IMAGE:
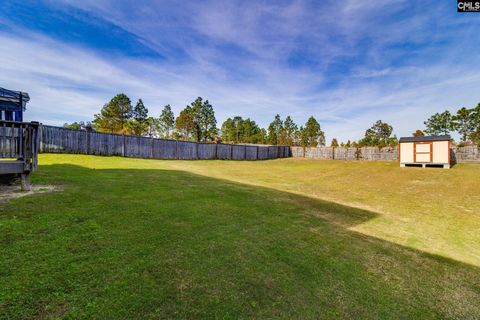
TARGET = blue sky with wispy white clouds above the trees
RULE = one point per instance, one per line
(348, 63)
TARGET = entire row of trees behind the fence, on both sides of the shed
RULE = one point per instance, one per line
(197, 122)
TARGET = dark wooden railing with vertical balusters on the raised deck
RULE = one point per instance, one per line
(20, 141)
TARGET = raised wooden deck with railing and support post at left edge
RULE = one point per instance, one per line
(19, 146)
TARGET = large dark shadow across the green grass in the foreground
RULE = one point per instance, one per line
(123, 243)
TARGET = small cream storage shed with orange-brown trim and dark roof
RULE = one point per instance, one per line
(425, 151)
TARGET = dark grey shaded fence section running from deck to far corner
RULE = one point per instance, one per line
(62, 140)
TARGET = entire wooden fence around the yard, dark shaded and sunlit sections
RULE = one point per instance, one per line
(62, 140)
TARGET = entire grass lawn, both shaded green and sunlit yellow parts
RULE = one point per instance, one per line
(292, 238)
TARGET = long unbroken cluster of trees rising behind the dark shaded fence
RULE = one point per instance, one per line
(197, 122)
